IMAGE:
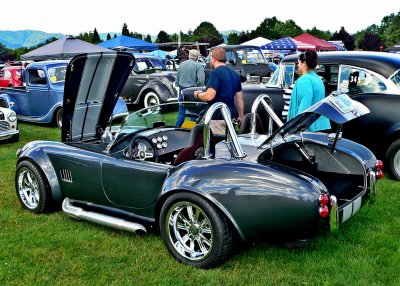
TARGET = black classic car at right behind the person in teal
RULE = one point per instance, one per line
(372, 78)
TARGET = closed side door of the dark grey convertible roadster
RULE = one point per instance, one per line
(133, 184)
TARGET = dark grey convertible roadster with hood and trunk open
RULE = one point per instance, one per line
(200, 191)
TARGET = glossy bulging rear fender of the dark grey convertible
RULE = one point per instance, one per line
(255, 198)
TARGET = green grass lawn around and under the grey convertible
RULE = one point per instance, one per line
(54, 249)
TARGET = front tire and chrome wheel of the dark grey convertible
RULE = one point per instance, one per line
(32, 187)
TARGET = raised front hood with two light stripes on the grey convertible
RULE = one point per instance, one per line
(93, 84)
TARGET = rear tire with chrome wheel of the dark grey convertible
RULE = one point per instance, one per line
(194, 231)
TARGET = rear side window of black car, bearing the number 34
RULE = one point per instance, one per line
(358, 80)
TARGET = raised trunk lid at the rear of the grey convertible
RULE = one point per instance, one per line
(338, 108)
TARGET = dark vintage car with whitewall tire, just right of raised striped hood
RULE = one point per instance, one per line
(150, 82)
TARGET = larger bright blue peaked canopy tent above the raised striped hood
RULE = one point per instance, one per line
(128, 43)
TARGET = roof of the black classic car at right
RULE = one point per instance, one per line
(382, 63)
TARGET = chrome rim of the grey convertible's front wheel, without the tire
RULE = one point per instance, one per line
(28, 188)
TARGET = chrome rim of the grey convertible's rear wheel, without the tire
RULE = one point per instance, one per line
(190, 231)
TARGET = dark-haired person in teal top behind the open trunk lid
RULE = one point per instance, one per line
(308, 90)
